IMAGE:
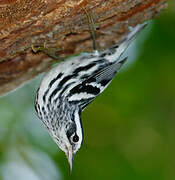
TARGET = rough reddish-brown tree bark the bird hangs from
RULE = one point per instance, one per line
(60, 23)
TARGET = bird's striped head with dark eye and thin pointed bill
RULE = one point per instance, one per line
(69, 136)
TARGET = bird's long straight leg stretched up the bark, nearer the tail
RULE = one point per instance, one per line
(92, 28)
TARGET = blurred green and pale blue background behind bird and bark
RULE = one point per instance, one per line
(129, 130)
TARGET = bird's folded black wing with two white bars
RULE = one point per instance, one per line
(86, 91)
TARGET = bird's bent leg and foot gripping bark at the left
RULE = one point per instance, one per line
(52, 52)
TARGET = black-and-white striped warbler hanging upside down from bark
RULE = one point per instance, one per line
(69, 87)
